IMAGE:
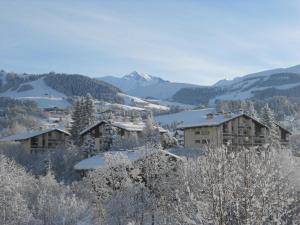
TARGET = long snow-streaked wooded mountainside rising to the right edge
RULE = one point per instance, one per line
(265, 84)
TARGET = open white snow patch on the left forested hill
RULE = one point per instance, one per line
(42, 94)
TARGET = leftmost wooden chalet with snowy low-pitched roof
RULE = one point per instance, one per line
(40, 140)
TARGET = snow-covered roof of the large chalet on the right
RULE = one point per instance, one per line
(217, 119)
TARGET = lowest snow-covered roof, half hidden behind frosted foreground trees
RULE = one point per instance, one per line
(98, 161)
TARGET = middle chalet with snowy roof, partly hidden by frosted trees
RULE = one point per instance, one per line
(102, 132)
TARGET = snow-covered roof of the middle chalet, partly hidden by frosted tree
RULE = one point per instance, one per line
(129, 126)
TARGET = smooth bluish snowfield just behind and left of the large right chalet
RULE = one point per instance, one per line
(185, 117)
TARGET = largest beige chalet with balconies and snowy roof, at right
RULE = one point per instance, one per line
(228, 129)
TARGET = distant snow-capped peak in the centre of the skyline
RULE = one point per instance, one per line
(144, 85)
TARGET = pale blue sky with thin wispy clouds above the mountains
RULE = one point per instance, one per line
(187, 41)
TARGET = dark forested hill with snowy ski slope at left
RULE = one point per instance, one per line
(53, 89)
